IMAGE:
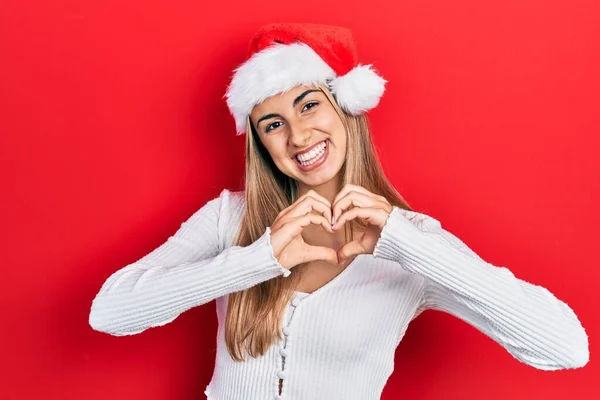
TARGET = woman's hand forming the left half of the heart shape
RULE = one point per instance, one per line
(289, 247)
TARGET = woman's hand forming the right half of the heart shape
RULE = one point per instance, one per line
(372, 208)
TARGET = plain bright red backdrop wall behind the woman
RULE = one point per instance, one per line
(114, 131)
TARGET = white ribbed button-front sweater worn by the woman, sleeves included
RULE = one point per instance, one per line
(339, 341)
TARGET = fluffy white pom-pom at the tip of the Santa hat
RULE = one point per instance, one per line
(359, 90)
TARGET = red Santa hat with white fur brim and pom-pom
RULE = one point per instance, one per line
(285, 55)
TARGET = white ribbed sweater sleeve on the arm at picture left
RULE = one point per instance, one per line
(184, 272)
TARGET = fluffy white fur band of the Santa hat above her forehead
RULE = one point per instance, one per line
(274, 70)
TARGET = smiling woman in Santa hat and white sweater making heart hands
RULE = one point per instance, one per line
(319, 265)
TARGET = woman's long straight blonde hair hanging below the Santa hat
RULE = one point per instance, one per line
(253, 319)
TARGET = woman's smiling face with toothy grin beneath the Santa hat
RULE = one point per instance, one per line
(303, 134)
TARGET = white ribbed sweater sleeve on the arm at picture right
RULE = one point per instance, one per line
(526, 319)
